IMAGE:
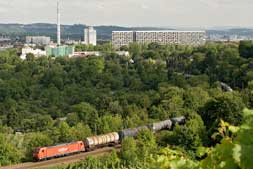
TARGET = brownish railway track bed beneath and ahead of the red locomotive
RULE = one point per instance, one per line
(64, 160)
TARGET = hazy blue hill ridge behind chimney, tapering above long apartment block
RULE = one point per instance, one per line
(68, 31)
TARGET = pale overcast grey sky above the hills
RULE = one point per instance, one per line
(162, 13)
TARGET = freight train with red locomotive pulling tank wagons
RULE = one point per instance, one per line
(95, 142)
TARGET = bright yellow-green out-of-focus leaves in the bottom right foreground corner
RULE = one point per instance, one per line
(235, 152)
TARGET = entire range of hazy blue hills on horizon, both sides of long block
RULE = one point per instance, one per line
(103, 32)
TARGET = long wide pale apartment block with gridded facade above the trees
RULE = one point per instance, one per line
(121, 38)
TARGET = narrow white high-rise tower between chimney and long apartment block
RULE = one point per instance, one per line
(90, 36)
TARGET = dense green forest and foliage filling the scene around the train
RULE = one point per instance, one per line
(47, 100)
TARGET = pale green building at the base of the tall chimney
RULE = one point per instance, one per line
(60, 51)
